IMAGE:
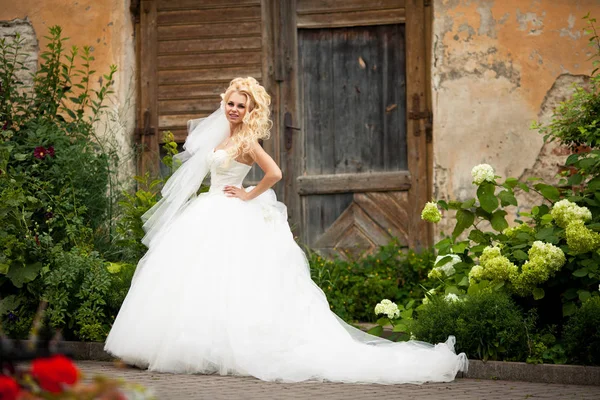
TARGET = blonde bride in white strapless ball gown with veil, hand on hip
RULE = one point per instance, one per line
(224, 288)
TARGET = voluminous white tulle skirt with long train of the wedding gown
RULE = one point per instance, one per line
(227, 290)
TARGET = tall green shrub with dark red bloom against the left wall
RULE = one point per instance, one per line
(54, 171)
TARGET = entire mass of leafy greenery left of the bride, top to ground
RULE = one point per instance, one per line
(56, 190)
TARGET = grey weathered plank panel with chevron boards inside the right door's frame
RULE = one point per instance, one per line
(354, 98)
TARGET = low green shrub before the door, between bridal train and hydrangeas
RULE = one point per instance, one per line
(353, 287)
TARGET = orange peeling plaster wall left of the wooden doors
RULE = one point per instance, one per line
(107, 26)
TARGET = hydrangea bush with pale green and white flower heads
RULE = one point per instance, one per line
(542, 252)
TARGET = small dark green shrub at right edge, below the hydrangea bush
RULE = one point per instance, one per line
(581, 334)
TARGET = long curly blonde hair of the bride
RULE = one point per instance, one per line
(256, 123)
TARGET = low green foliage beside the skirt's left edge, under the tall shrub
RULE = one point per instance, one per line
(83, 292)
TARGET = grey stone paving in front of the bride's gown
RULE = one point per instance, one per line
(180, 387)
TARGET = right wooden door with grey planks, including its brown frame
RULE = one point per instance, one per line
(361, 172)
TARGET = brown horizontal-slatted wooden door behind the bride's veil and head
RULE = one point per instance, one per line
(189, 52)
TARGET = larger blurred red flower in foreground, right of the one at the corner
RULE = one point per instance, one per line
(54, 373)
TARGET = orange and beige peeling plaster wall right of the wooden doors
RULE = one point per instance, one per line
(498, 66)
